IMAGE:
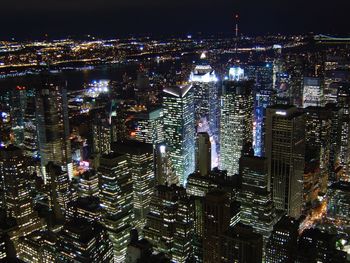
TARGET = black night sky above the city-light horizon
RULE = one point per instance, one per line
(110, 18)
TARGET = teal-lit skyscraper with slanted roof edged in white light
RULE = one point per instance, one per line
(179, 127)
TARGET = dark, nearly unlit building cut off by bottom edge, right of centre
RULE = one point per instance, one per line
(241, 244)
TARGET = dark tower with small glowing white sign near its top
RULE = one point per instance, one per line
(285, 152)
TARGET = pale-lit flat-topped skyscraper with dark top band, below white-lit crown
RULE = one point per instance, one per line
(236, 123)
